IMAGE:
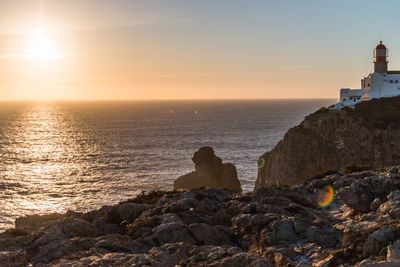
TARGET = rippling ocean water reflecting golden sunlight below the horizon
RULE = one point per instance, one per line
(82, 155)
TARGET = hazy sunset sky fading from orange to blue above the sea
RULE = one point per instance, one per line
(179, 49)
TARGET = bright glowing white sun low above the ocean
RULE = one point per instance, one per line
(41, 47)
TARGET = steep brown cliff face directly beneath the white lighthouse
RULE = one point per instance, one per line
(365, 137)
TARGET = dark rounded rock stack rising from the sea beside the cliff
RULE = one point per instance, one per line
(209, 171)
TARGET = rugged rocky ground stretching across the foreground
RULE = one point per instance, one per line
(216, 227)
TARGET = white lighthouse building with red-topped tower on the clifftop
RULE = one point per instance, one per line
(381, 83)
